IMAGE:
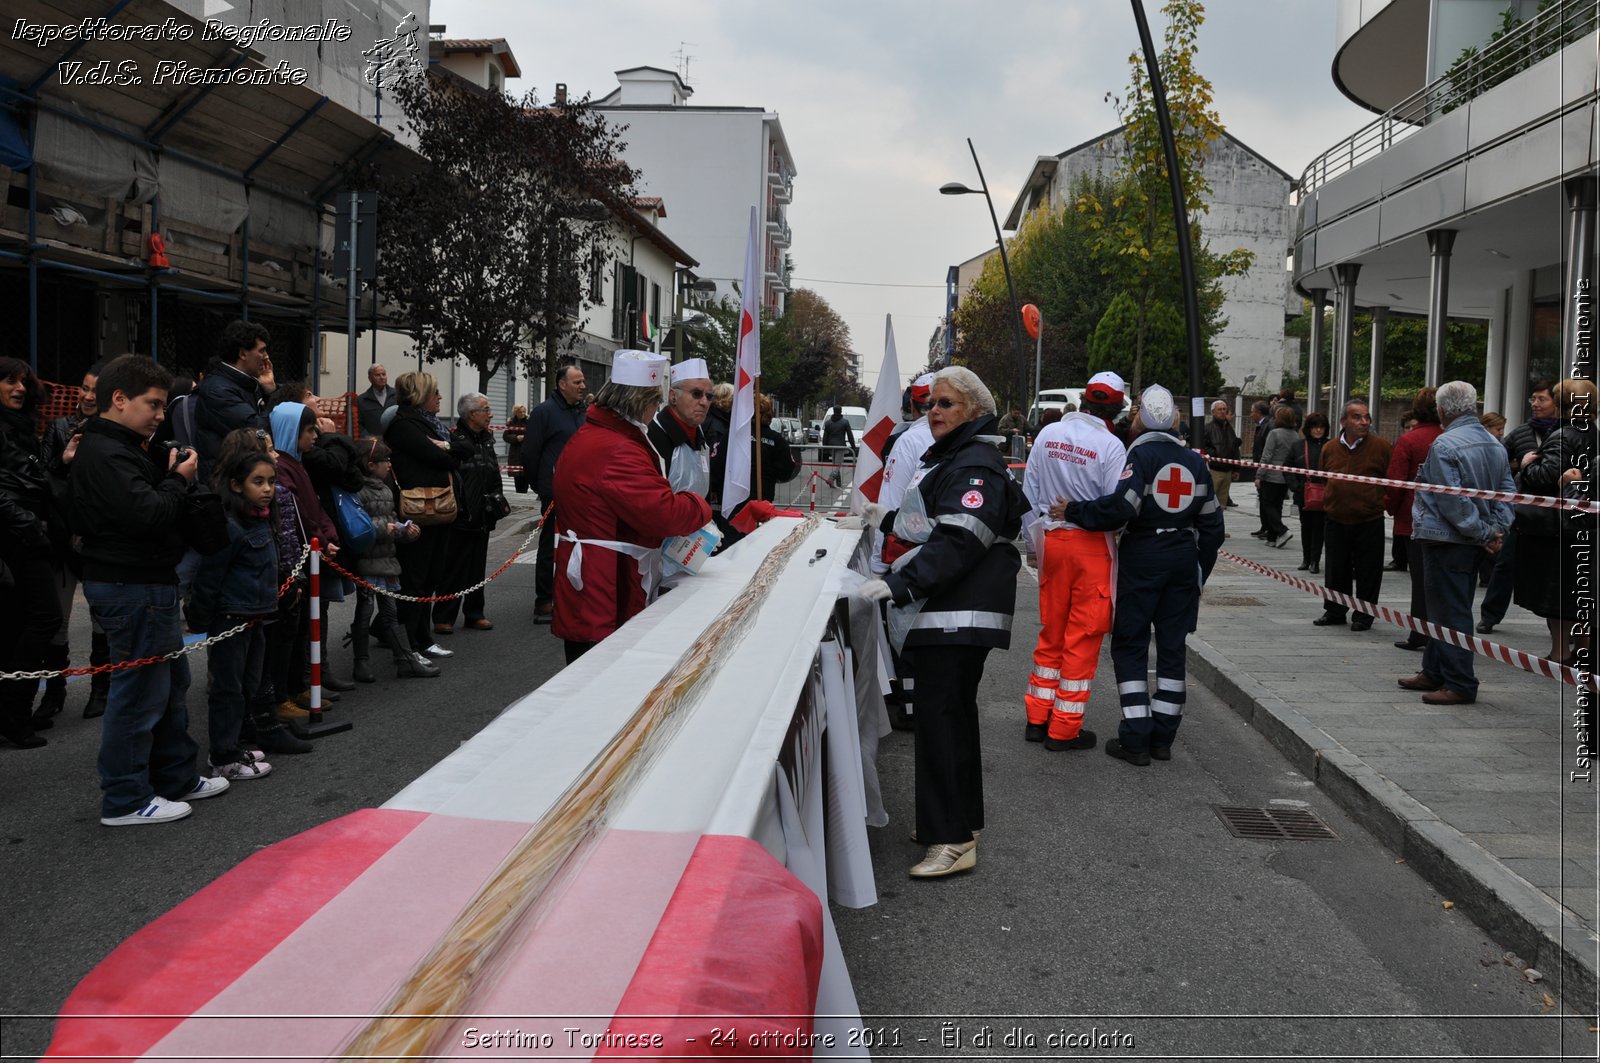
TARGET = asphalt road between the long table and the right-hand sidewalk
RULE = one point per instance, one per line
(1113, 899)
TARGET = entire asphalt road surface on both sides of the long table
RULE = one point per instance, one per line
(1108, 899)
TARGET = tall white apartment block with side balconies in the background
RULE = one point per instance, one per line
(713, 164)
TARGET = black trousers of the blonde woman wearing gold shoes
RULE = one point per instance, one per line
(950, 766)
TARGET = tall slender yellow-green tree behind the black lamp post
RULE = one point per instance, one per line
(1137, 233)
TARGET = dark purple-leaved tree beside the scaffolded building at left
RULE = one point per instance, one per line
(489, 241)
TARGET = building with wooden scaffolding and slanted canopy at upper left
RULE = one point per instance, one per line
(143, 217)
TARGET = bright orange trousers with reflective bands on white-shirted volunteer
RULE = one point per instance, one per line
(1074, 608)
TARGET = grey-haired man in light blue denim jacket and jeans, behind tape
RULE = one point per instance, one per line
(1452, 531)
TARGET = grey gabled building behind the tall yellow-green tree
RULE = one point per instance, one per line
(1249, 207)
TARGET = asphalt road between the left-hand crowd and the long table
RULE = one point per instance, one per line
(76, 889)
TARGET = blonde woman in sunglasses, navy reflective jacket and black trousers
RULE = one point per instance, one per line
(951, 601)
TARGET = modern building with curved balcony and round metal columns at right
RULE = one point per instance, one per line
(1471, 196)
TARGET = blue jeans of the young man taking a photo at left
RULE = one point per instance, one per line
(145, 739)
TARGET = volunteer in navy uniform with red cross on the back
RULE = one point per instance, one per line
(1169, 547)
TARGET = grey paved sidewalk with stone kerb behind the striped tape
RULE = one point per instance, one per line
(1474, 798)
